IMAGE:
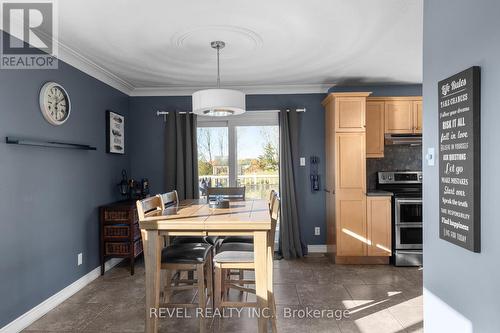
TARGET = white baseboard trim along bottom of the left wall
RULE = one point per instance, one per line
(26, 319)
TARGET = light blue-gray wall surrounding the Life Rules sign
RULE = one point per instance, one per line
(462, 286)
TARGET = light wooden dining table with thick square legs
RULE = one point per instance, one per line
(196, 218)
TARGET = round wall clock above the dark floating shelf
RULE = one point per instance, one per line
(54, 103)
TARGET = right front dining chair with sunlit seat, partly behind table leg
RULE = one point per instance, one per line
(226, 260)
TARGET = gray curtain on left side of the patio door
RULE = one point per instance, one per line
(181, 155)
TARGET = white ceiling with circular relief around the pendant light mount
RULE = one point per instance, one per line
(162, 47)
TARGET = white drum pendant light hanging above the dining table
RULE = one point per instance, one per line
(218, 102)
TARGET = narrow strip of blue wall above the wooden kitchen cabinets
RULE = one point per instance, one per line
(383, 90)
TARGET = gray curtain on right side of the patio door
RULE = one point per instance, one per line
(291, 244)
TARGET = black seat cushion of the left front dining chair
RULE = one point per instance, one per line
(189, 253)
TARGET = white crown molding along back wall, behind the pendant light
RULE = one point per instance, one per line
(249, 90)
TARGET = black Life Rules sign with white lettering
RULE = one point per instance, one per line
(459, 159)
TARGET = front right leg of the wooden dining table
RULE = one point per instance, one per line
(261, 276)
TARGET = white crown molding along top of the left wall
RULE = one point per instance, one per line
(77, 60)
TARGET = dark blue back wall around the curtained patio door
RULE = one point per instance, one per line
(146, 146)
